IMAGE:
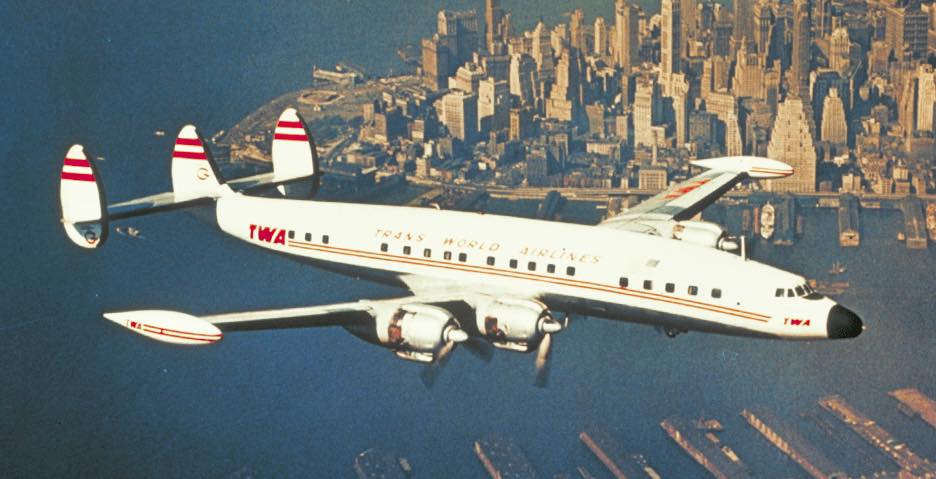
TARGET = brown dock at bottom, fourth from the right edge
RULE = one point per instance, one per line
(698, 439)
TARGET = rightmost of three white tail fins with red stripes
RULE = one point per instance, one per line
(295, 160)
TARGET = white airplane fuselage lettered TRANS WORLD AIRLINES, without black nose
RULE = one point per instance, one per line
(592, 270)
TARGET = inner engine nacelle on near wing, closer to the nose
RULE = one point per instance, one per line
(515, 324)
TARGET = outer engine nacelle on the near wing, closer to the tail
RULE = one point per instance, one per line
(412, 331)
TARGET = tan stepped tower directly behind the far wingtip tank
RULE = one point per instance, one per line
(791, 141)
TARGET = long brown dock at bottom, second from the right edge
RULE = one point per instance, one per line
(870, 431)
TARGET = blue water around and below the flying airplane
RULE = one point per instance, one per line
(81, 397)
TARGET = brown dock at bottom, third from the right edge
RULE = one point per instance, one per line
(791, 443)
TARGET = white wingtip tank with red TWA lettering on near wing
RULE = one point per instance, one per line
(168, 326)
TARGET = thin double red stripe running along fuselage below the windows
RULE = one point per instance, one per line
(540, 278)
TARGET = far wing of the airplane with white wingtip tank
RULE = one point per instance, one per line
(682, 201)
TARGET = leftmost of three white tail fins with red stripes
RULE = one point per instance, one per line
(83, 213)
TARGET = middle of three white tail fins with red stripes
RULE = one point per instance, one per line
(194, 173)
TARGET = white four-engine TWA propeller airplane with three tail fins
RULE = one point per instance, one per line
(656, 263)
